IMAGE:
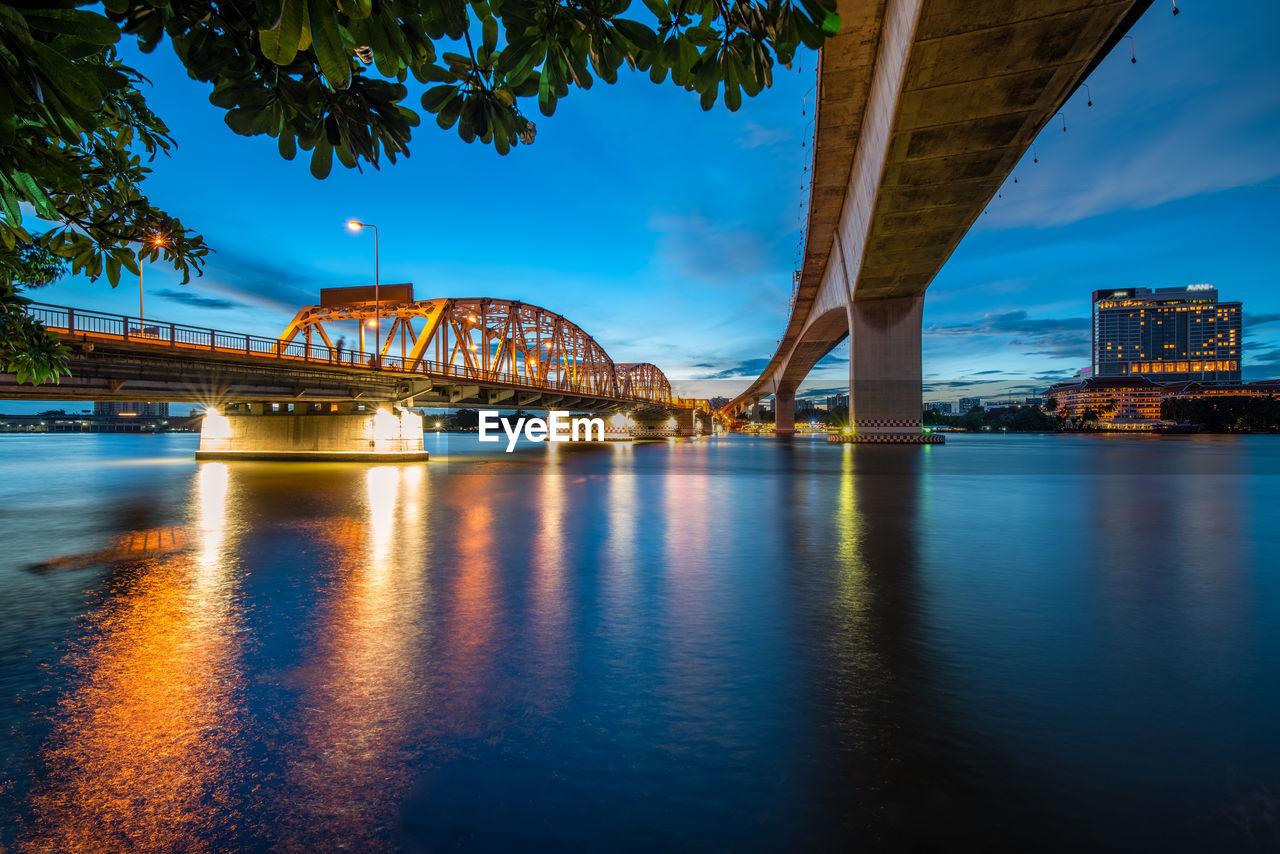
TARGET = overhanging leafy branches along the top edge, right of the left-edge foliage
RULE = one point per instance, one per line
(331, 77)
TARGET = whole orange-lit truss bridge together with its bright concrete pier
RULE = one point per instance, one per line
(321, 395)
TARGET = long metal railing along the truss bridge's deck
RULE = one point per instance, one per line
(80, 322)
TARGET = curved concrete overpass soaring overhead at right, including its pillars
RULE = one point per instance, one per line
(924, 109)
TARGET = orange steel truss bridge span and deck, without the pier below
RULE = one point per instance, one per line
(436, 353)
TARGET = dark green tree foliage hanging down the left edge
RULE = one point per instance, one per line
(74, 133)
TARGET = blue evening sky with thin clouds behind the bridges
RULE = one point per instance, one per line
(670, 234)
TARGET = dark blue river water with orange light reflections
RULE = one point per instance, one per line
(1021, 643)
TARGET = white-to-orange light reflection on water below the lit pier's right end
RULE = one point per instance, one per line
(368, 693)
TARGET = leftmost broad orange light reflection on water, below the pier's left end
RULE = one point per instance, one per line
(144, 753)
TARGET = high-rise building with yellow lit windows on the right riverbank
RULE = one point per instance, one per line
(1168, 335)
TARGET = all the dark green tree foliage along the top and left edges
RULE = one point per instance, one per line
(323, 76)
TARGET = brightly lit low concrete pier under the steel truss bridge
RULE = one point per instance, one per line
(378, 435)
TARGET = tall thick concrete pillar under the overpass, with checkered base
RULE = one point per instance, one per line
(885, 375)
